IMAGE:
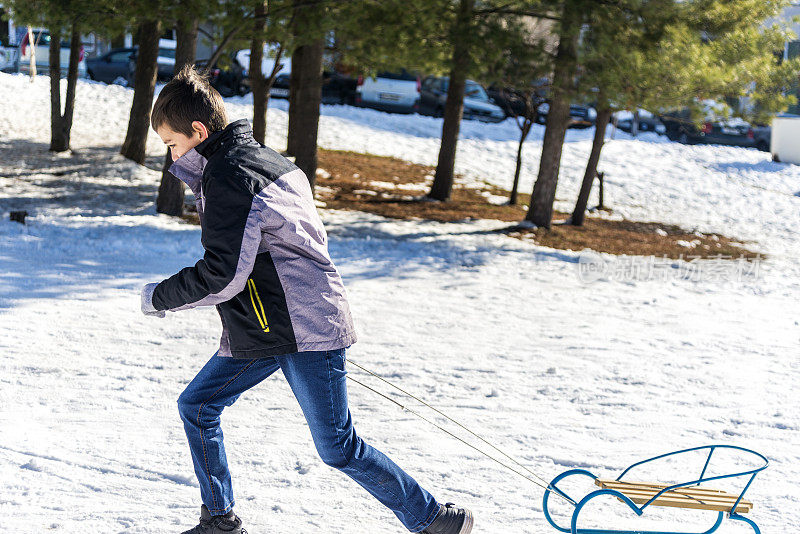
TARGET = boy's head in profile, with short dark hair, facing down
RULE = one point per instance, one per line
(187, 110)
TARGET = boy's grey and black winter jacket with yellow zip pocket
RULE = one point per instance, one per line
(266, 265)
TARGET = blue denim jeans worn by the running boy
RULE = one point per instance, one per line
(318, 382)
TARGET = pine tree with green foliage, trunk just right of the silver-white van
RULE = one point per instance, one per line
(458, 38)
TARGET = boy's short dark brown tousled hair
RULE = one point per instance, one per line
(188, 97)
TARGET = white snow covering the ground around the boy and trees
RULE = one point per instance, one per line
(505, 336)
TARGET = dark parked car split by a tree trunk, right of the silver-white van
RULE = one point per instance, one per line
(477, 104)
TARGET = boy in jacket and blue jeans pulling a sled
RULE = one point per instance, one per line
(282, 303)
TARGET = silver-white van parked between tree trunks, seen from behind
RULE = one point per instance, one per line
(397, 92)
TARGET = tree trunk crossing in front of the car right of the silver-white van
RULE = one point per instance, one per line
(454, 106)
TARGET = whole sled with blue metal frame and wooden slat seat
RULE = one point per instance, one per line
(641, 495)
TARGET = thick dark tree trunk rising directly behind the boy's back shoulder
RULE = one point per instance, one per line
(306, 86)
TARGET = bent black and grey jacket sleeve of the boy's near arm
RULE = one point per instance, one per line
(231, 236)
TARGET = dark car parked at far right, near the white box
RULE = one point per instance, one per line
(680, 127)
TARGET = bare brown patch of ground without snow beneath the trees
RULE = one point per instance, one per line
(382, 185)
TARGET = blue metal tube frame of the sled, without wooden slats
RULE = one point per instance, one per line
(639, 510)
